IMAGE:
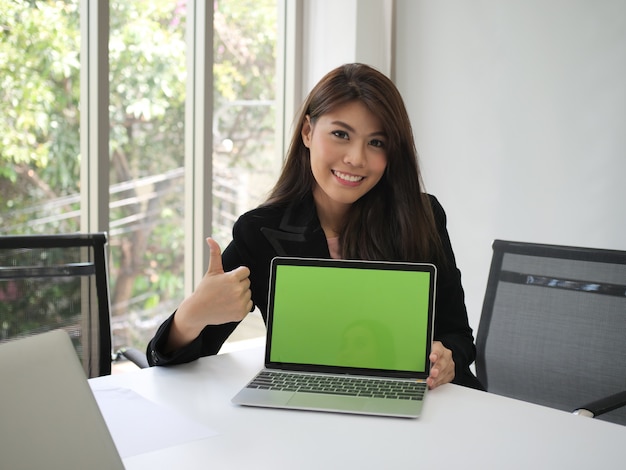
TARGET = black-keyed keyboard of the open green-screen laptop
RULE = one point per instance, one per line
(350, 386)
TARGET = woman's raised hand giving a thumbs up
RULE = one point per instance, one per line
(220, 297)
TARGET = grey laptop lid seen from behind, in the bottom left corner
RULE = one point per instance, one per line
(49, 416)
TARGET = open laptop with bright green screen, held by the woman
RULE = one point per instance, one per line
(346, 336)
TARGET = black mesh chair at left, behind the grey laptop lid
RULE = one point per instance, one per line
(52, 282)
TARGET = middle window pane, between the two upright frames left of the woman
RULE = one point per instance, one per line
(147, 73)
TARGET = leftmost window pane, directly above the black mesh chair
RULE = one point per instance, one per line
(39, 119)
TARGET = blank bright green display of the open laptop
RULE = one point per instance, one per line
(362, 318)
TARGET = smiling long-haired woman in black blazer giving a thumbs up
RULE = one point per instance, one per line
(350, 188)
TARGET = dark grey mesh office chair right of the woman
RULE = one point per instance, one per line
(553, 328)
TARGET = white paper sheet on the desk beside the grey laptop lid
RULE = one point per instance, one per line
(139, 425)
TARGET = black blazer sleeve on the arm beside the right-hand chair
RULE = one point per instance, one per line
(451, 322)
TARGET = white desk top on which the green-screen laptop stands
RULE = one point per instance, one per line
(460, 428)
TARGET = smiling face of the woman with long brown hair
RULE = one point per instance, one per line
(348, 153)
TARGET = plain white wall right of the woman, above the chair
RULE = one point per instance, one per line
(519, 113)
